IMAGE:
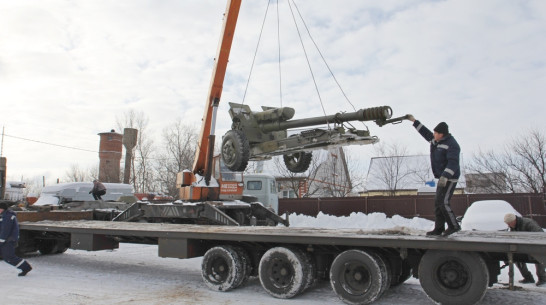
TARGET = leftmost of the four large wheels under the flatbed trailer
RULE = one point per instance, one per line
(222, 268)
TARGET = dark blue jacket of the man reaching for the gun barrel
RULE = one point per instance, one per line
(444, 154)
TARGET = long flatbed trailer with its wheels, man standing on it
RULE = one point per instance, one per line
(361, 265)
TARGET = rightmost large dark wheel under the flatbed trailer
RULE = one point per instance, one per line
(453, 277)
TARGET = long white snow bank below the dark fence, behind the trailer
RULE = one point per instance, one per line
(358, 221)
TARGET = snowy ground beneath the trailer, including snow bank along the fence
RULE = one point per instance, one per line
(134, 274)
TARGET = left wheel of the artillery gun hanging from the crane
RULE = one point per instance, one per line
(235, 150)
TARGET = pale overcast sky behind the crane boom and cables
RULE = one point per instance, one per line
(68, 69)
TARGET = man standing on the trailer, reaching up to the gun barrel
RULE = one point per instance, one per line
(444, 159)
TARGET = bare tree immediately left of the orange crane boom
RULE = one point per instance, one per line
(179, 142)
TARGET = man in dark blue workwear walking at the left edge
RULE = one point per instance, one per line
(9, 235)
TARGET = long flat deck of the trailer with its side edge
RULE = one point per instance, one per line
(502, 241)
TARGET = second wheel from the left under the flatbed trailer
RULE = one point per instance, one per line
(284, 272)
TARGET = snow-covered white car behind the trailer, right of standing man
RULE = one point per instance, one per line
(487, 215)
